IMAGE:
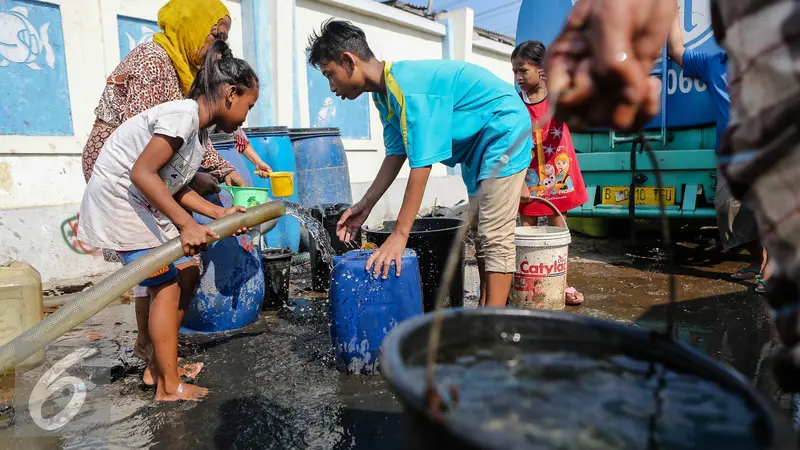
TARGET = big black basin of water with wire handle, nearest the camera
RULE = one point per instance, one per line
(534, 332)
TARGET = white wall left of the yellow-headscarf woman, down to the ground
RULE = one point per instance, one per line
(41, 177)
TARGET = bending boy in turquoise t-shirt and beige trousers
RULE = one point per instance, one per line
(436, 111)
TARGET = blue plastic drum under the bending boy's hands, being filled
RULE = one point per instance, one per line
(364, 309)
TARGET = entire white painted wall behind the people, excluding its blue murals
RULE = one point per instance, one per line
(41, 180)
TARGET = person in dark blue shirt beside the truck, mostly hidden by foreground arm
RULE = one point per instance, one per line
(737, 224)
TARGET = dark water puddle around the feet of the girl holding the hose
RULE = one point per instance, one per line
(273, 385)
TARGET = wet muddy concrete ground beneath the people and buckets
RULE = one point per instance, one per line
(274, 384)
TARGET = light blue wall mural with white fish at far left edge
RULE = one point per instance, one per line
(34, 94)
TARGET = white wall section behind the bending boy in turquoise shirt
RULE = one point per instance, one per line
(396, 35)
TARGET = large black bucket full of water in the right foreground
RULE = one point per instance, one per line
(543, 333)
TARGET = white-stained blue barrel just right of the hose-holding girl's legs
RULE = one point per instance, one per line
(231, 288)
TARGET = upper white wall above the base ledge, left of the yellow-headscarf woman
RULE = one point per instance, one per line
(46, 170)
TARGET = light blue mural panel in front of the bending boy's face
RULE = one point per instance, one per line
(327, 110)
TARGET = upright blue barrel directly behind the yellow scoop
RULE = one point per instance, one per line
(275, 148)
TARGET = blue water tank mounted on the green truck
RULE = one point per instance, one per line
(688, 103)
